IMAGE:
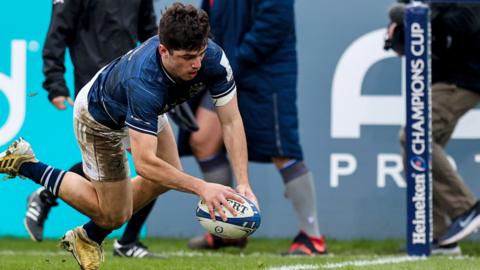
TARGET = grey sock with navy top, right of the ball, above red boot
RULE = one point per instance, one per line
(300, 189)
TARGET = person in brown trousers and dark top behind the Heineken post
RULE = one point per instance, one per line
(455, 91)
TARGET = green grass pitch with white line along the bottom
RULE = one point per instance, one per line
(260, 254)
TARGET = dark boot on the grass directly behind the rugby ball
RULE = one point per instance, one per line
(210, 241)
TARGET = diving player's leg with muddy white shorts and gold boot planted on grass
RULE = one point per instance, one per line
(106, 165)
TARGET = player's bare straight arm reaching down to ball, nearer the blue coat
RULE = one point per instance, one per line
(235, 142)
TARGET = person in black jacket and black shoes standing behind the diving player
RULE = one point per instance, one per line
(95, 33)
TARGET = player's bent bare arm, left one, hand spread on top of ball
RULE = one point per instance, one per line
(149, 166)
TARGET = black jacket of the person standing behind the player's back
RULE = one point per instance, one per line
(95, 32)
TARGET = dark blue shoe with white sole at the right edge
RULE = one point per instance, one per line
(462, 226)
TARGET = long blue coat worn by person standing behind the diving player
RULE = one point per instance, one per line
(258, 37)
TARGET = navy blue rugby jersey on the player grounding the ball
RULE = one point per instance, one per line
(135, 88)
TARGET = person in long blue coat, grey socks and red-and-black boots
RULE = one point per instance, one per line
(259, 40)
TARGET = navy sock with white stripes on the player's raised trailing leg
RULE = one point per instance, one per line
(44, 175)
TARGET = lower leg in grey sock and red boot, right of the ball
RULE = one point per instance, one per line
(300, 190)
